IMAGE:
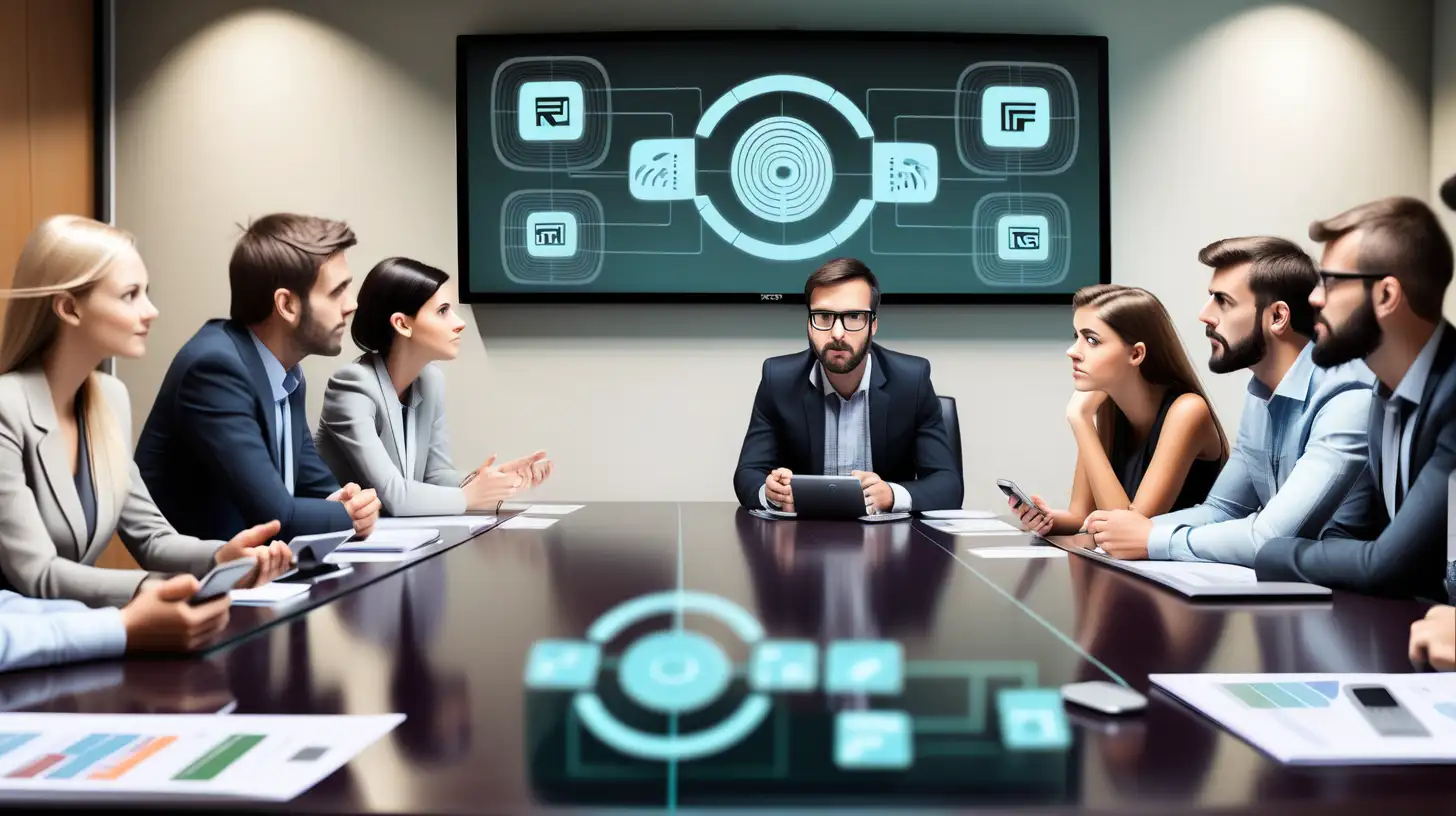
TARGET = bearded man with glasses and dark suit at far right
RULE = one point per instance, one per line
(1384, 276)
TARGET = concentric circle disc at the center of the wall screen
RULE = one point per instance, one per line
(783, 170)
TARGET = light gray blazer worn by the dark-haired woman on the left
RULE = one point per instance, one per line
(363, 439)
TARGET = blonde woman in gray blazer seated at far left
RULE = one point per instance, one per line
(66, 476)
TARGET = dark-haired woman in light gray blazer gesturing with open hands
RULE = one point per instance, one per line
(384, 423)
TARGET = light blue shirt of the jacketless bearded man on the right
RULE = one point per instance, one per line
(1299, 463)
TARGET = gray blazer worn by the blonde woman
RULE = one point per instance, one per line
(43, 530)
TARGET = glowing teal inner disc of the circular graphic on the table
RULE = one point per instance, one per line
(675, 672)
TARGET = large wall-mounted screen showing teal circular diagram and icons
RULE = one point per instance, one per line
(711, 167)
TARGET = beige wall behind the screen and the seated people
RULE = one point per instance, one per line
(1227, 119)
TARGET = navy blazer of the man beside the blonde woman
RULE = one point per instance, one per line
(209, 451)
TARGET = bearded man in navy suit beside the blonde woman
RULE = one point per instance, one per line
(228, 442)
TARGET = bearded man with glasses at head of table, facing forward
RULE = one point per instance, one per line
(848, 407)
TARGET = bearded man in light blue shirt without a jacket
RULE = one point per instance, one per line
(1299, 463)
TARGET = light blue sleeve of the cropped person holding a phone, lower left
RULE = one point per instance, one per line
(43, 633)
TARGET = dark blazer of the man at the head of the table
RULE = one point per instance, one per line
(908, 439)
